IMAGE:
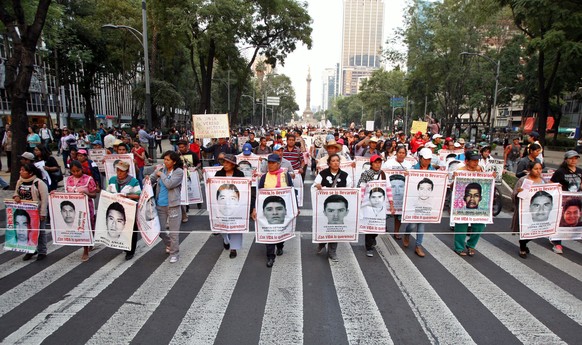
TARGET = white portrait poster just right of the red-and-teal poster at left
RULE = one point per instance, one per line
(70, 219)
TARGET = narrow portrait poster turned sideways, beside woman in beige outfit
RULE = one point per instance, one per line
(148, 222)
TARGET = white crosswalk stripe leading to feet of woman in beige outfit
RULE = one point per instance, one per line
(132, 315)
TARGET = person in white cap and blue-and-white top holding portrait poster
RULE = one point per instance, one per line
(126, 186)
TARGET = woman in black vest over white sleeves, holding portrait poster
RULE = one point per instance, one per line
(331, 177)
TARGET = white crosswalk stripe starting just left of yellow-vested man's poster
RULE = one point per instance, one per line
(202, 321)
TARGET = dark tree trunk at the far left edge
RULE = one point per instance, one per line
(24, 24)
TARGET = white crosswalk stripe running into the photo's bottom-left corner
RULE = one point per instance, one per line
(54, 316)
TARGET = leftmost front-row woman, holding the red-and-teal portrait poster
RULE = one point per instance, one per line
(30, 186)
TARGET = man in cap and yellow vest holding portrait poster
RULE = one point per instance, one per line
(274, 178)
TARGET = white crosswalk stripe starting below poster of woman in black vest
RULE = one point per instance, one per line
(362, 319)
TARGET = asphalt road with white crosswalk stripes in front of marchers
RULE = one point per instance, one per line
(395, 297)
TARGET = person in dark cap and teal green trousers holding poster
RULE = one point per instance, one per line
(463, 247)
